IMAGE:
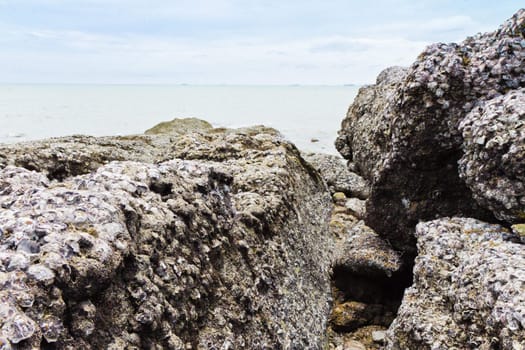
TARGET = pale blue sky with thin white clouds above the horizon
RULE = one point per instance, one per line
(257, 42)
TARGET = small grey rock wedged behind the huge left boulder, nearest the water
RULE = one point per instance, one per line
(337, 175)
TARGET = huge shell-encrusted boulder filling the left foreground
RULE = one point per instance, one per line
(223, 246)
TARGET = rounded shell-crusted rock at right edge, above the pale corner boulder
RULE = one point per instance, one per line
(493, 163)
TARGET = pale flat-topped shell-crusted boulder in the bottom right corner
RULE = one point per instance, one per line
(468, 290)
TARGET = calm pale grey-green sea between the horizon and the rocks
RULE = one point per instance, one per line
(301, 113)
